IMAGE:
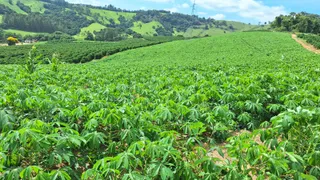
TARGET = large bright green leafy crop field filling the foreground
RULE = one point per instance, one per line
(162, 112)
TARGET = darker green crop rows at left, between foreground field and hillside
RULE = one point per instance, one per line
(77, 52)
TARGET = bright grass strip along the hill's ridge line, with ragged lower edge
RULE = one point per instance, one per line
(106, 15)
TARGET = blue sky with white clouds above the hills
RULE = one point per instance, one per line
(248, 11)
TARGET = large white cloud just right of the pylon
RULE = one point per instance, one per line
(245, 8)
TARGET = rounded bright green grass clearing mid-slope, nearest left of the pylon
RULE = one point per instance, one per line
(146, 28)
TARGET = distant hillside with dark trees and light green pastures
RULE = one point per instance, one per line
(48, 16)
